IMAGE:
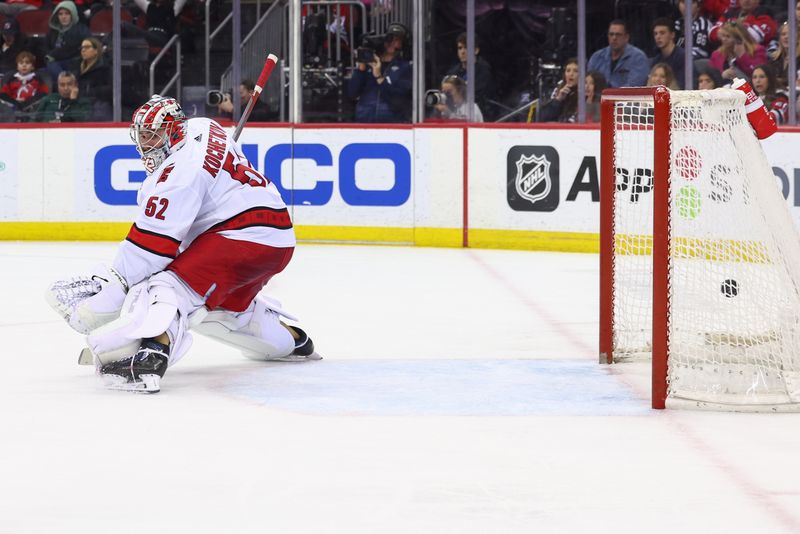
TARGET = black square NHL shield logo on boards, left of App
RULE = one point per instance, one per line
(532, 178)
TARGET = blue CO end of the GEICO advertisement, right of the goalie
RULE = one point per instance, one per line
(360, 177)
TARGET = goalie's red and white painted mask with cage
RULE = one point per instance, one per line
(158, 130)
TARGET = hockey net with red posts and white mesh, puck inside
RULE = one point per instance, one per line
(700, 260)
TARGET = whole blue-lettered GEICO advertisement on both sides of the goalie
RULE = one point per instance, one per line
(353, 177)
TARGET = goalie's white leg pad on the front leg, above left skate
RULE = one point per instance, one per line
(148, 311)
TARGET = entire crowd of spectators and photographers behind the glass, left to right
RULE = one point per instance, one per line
(62, 71)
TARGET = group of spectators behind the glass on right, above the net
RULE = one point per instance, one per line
(730, 39)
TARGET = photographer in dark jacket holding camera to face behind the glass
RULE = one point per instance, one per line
(383, 86)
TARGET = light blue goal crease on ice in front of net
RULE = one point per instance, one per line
(439, 387)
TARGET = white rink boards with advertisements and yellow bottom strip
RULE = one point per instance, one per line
(517, 186)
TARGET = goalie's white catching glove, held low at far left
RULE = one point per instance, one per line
(90, 301)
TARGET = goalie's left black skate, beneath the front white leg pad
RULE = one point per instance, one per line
(140, 373)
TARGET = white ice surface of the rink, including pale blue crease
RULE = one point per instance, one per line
(460, 393)
